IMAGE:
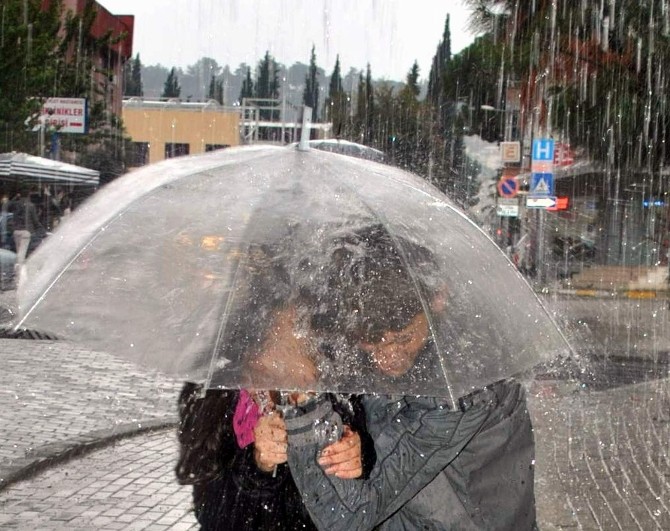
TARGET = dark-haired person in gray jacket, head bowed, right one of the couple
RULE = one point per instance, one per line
(439, 465)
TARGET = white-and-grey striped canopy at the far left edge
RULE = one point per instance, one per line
(31, 169)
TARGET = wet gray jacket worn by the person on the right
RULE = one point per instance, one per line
(436, 468)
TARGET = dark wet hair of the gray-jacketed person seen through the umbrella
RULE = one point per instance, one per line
(369, 285)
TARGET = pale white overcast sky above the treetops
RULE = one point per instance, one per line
(389, 34)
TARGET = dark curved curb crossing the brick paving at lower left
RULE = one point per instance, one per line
(43, 457)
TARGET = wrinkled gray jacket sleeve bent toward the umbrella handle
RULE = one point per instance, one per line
(421, 439)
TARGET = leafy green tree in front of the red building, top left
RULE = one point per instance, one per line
(46, 53)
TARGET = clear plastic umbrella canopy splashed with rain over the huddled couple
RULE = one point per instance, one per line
(191, 264)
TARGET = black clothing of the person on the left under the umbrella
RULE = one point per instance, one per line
(229, 490)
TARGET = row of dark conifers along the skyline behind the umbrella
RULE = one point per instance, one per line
(419, 128)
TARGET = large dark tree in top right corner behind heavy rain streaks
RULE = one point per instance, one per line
(594, 70)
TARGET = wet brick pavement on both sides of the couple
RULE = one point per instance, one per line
(73, 454)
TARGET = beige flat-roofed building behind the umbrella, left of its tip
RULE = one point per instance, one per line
(172, 128)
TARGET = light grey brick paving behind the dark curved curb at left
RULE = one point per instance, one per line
(57, 399)
